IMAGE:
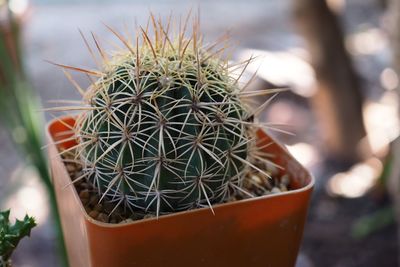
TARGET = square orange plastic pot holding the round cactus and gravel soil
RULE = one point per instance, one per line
(263, 231)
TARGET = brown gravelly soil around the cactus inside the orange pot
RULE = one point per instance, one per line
(107, 211)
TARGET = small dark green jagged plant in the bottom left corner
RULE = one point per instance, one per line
(10, 235)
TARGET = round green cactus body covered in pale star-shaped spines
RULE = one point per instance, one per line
(165, 128)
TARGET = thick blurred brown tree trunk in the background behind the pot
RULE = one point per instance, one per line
(338, 101)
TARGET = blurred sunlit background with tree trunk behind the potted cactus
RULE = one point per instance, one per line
(340, 59)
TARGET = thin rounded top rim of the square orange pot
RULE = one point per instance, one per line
(215, 207)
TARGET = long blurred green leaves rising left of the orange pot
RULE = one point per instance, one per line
(20, 111)
